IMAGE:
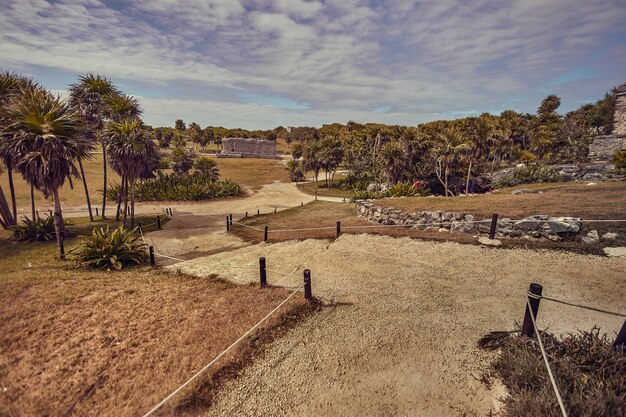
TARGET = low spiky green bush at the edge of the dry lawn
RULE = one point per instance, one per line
(106, 250)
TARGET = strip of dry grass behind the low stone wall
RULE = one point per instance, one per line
(600, 201)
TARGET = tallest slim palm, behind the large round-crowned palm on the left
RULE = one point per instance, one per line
(88, 98)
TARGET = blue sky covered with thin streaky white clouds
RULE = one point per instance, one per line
(258, 64)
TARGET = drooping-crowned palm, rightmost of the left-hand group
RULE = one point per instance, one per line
(131, 151)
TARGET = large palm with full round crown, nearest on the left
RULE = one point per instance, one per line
(47, 138)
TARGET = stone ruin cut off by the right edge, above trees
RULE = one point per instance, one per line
(604, 146)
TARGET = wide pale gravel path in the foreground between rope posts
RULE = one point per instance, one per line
(398, 334)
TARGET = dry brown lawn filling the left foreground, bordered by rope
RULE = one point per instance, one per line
(86, 342)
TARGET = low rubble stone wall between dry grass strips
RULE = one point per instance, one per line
(532, 227)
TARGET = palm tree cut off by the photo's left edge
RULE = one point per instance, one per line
(11, 87)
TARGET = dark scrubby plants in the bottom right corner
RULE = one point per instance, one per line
(589, 372)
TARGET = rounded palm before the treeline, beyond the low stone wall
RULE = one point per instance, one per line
(449, 150)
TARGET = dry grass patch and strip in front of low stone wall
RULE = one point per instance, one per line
(325, 215)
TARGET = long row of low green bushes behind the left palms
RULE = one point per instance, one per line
(180, 187)
